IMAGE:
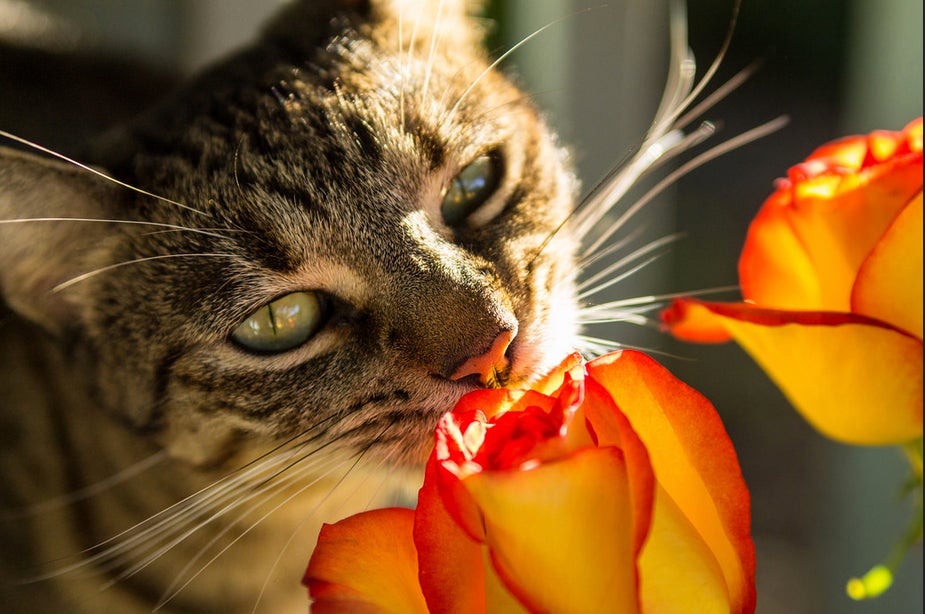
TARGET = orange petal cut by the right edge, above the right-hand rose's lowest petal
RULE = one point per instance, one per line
(889, 284)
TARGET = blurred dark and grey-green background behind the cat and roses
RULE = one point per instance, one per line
(822, 511)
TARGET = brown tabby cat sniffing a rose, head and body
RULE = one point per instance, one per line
(271, 283)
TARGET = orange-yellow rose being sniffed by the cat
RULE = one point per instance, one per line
(619, 491)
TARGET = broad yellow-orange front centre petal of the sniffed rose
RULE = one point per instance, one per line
(561, 534)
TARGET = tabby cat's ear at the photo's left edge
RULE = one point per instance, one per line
(36, 253)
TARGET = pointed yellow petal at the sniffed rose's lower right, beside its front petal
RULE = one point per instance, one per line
(677, 569)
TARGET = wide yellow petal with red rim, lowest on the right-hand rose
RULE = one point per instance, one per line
(855, 379)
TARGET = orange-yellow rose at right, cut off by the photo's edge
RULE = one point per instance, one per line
(831, 274)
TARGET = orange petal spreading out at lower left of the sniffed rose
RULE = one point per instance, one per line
(366, 563)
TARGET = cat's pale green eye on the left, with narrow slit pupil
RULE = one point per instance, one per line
(281, 325)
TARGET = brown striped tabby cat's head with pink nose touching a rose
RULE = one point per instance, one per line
(355, 224)
